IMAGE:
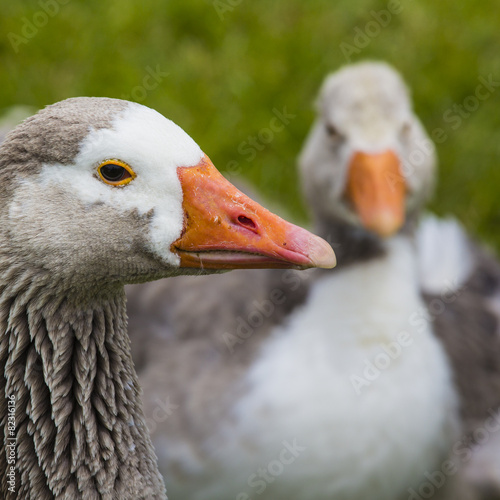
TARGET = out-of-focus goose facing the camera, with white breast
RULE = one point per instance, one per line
(353, 385)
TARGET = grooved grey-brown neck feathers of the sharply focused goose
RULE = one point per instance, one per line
(79, 422)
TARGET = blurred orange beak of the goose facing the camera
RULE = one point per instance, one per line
(377, 190)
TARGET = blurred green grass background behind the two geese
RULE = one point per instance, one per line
(219, 67)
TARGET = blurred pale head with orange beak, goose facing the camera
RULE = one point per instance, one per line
(367, 162)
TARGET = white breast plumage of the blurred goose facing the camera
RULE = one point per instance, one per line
(350, 440)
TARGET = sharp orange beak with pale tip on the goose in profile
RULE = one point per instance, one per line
(224, 229)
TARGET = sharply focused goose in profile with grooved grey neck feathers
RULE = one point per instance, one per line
(96, 193)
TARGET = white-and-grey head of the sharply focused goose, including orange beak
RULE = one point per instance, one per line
(97, 189)
